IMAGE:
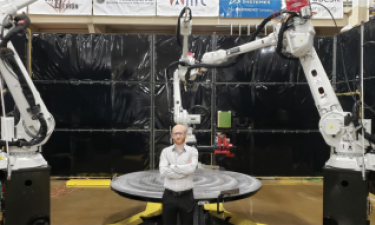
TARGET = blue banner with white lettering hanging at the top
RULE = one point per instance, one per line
(248, 8)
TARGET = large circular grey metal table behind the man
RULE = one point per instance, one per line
(208, 185)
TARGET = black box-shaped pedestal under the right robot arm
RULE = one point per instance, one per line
(345, 197)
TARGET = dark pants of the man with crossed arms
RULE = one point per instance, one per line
(181, 204)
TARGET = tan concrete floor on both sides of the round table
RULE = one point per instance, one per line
(295, 202)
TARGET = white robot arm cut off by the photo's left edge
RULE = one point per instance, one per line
(35, 124)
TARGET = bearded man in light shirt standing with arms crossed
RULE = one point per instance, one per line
(177, 164)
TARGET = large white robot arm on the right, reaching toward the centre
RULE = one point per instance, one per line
(295, 36)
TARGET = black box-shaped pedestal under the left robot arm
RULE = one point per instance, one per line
(26, 197)
